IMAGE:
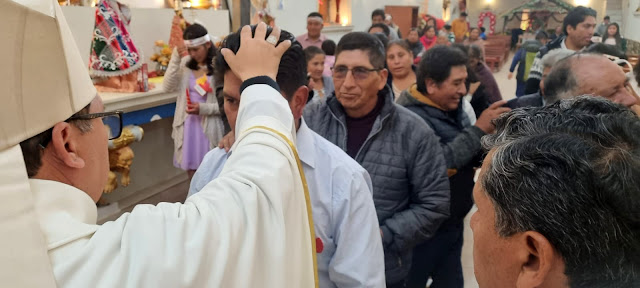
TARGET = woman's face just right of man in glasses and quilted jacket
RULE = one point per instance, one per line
(400, 63)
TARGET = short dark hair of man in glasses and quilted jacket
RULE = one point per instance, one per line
(365, 42)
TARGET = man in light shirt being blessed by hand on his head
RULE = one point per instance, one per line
(348, 242)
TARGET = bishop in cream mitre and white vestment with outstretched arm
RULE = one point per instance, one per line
(251, 227)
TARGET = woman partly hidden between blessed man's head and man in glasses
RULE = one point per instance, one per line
(322, 85)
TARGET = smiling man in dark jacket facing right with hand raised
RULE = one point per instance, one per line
(436, 99)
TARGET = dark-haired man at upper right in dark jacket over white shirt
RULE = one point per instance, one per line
(578, 26)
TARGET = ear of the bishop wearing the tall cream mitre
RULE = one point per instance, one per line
(65, 145)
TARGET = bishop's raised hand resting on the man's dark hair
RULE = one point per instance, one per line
(256, 56)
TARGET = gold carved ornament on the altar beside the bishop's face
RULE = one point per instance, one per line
(120, 159)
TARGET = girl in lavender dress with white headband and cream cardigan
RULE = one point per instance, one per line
(197, 123)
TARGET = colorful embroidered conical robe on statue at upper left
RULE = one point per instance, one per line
(113, 52)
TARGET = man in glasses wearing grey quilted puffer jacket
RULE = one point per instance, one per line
(396, 147)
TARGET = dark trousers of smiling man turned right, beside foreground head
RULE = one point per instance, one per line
(439, 259)
